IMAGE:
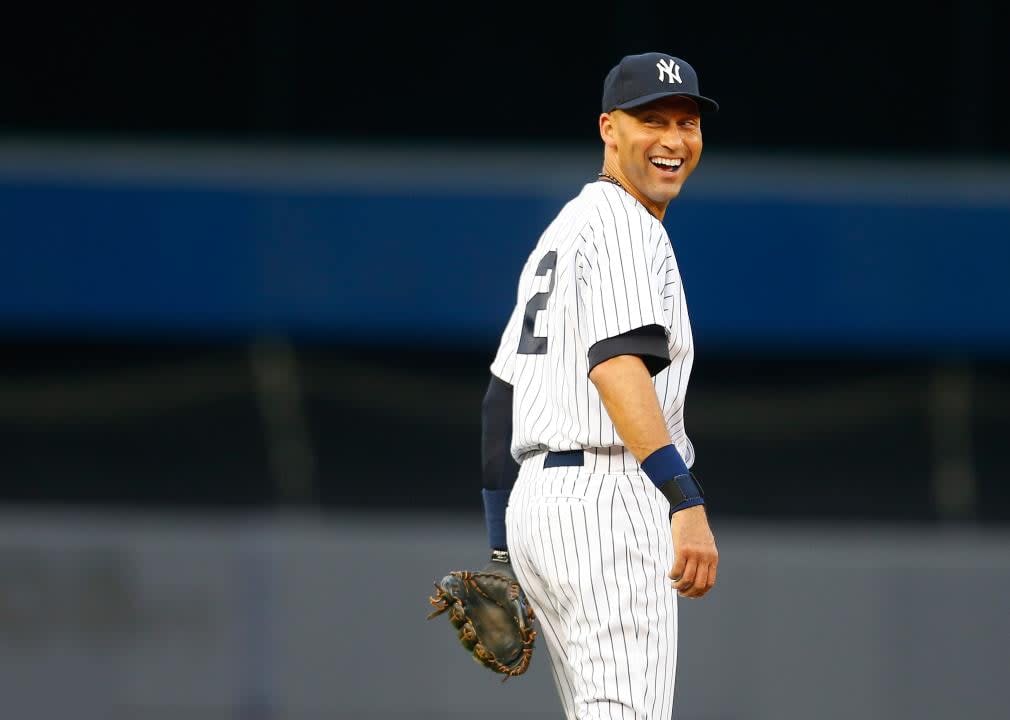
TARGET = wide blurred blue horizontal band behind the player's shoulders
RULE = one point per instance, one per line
(442, 268)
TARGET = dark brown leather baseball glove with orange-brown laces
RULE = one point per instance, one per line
(492, 615)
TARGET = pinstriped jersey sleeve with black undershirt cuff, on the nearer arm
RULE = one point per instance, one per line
(622, 275)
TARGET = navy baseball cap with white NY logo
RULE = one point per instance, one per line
(640, 79)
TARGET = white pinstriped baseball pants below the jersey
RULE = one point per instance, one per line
(592, 549)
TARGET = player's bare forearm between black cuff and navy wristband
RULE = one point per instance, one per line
(630, 397)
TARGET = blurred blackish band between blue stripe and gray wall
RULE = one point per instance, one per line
(194, 427)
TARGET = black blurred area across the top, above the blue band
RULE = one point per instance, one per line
(866, 77)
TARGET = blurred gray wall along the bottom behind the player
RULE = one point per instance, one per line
(300, 618)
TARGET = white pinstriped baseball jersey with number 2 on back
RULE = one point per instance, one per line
(604, 267)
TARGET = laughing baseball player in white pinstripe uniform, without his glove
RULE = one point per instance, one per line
(588, 495)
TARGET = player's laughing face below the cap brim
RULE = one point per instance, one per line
(658, 146)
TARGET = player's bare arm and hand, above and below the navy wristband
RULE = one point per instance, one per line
(627, 389)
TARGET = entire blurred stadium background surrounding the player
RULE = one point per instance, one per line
(255, 263)
